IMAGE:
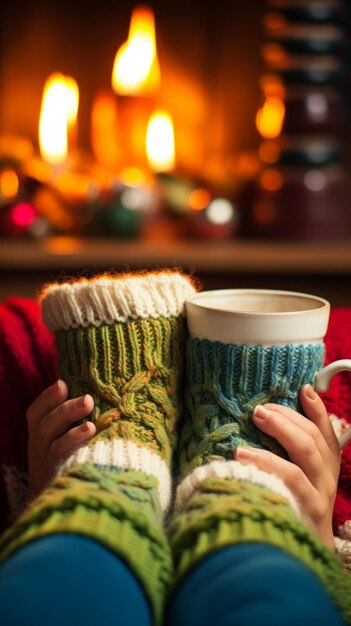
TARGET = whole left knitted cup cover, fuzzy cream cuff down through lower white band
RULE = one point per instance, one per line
(132, 366)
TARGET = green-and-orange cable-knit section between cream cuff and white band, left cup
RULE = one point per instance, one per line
(133, 371)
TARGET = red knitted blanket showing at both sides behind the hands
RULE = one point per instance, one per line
(28, 365)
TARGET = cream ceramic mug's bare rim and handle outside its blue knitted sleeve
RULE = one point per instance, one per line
(262, 316)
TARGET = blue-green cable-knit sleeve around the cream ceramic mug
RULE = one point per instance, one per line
(224, 384)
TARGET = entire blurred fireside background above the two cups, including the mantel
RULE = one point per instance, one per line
(211, 136)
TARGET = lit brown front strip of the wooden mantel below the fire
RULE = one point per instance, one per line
(234, 256)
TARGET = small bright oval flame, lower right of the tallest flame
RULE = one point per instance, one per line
(160, 142)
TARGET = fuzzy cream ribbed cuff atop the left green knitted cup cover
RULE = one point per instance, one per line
(110, 299)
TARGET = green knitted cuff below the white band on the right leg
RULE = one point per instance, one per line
(224, 512)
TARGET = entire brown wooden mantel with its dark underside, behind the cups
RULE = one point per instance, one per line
(321, 268)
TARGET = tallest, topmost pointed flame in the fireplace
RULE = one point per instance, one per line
(136, 69)
